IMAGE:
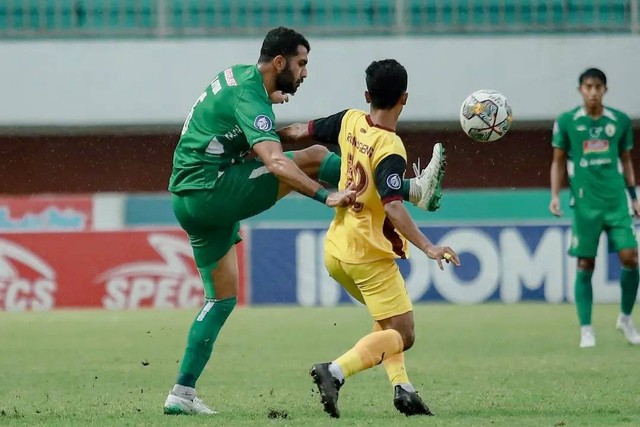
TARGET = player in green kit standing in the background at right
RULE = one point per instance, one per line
(595, 138)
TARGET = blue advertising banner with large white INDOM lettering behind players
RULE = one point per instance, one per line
(501, 263)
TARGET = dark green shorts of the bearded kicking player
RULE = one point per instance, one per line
(212, 217)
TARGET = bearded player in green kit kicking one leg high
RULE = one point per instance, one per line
(215, 185)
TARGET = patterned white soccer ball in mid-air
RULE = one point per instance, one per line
(485, 115)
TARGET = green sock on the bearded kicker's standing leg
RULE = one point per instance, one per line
(202, 336)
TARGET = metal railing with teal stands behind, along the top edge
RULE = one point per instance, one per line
(180, 18)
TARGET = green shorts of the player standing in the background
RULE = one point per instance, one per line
(589, 223)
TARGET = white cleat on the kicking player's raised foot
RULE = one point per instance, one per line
(426, 188)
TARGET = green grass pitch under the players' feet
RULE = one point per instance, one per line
(493, 365)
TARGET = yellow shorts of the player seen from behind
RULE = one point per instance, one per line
(378, 285)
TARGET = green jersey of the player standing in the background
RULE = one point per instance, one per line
(593, 147)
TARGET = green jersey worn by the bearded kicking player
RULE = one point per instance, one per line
(232, 114)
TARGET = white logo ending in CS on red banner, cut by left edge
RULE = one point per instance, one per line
(26, 280)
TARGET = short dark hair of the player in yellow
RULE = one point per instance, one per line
(386, 83)
